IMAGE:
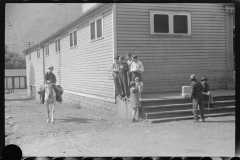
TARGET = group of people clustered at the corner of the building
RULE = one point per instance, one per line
(126, 74)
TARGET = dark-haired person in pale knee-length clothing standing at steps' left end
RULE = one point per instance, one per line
(134, 99)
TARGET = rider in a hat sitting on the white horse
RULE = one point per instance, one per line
(49, 76)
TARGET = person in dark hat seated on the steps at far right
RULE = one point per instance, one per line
(206, 91)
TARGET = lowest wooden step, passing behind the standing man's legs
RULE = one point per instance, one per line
(180, 113)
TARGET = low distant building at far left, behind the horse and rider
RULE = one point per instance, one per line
(15, 78)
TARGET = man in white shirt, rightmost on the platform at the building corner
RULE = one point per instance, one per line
(136, 68)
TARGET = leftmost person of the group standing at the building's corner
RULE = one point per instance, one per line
(115, 74)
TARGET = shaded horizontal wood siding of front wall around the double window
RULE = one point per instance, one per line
(170, 60)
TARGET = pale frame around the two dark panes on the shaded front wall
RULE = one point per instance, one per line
(171, 22)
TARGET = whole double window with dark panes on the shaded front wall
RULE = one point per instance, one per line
(170, 23)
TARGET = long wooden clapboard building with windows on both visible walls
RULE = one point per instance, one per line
(172, 40)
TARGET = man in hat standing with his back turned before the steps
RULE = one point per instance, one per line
(197, 98)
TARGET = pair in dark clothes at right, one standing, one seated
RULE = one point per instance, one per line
(200, 93)
